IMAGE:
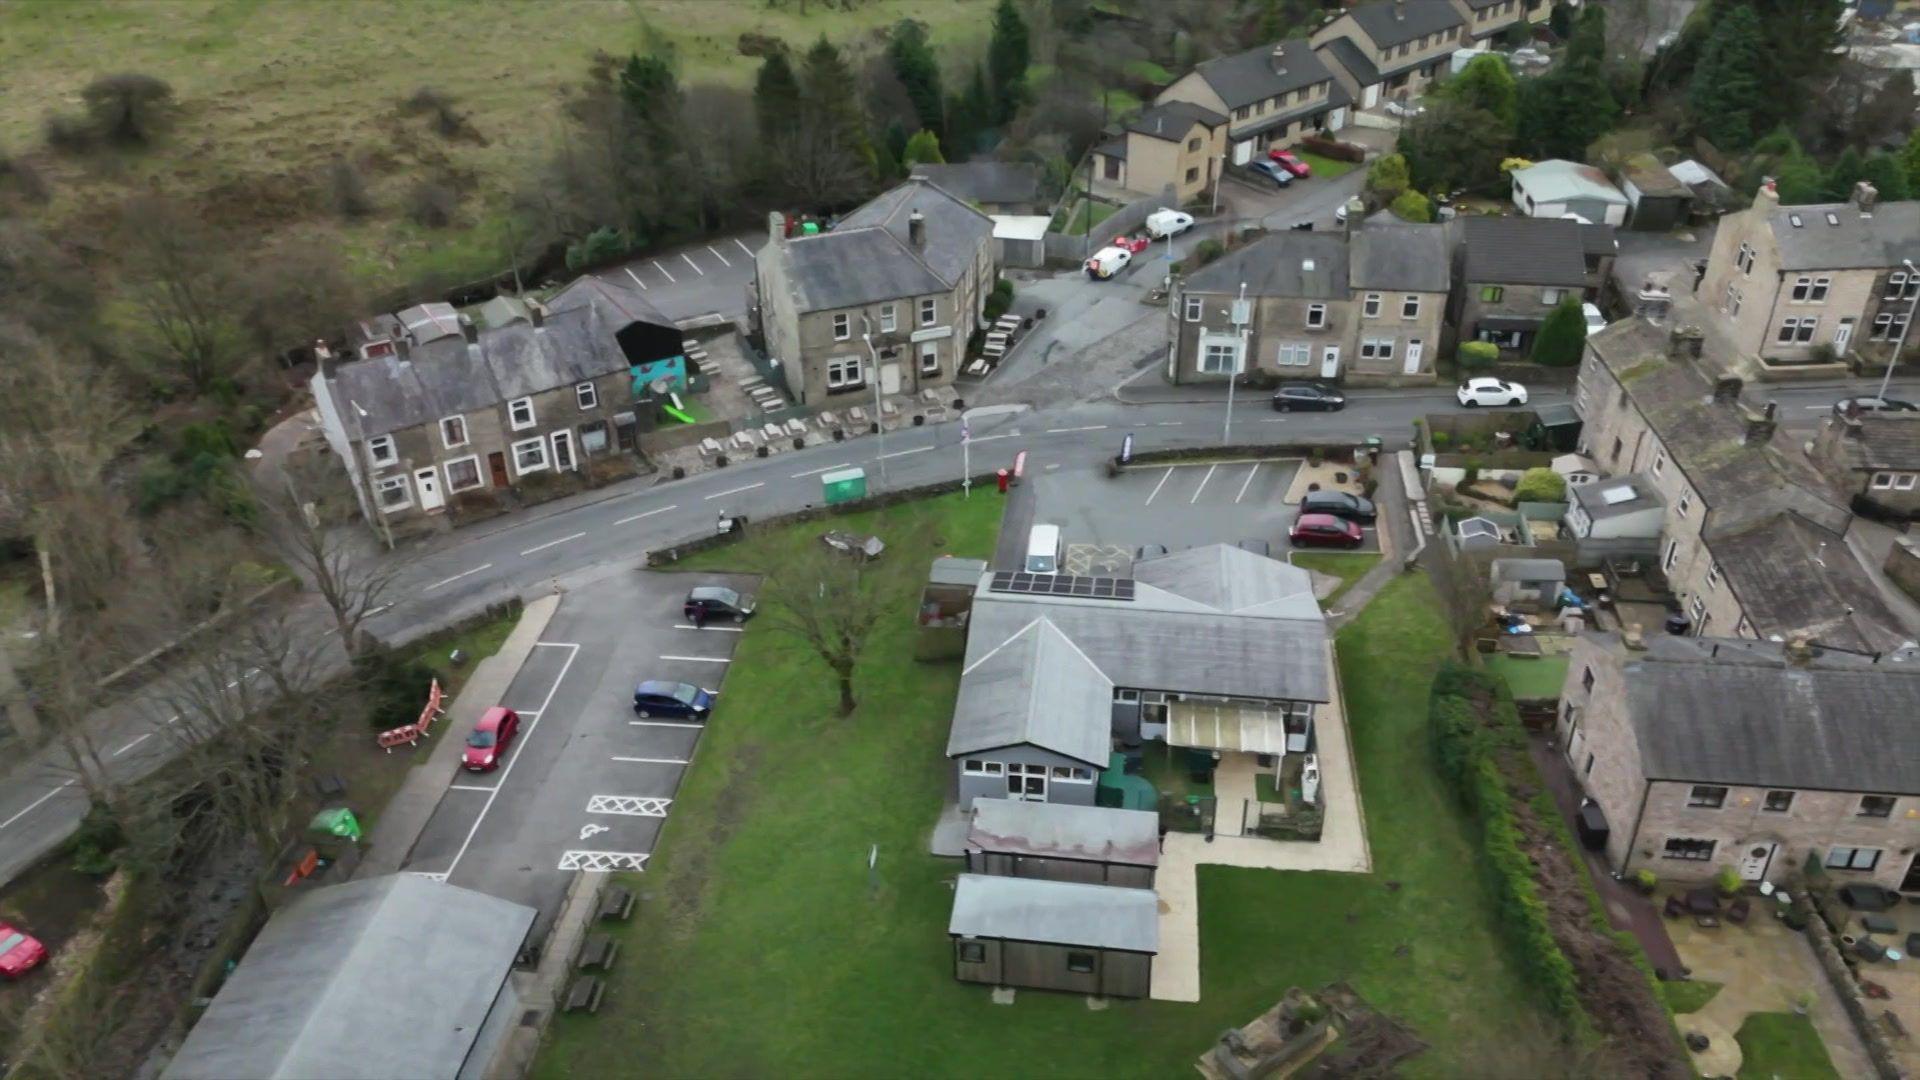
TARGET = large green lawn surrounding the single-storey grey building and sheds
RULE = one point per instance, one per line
(763, 945)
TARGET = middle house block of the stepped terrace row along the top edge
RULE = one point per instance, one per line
(1391, 49)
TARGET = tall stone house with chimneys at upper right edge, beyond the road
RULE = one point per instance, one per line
(1796, 280)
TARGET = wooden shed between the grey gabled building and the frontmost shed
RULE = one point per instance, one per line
(1063, 843)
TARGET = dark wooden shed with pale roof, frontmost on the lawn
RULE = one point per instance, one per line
(1055, 935)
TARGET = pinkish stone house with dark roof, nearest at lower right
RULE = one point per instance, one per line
(1760, 756)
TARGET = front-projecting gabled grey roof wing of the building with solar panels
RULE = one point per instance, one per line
(1032, 687)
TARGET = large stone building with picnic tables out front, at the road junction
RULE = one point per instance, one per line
(892, 293)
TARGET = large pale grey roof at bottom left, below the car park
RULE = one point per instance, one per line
(381, 977)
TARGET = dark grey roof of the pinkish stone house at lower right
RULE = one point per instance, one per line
(1740, 714)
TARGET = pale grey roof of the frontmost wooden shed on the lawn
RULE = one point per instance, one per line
(1065, 914)
